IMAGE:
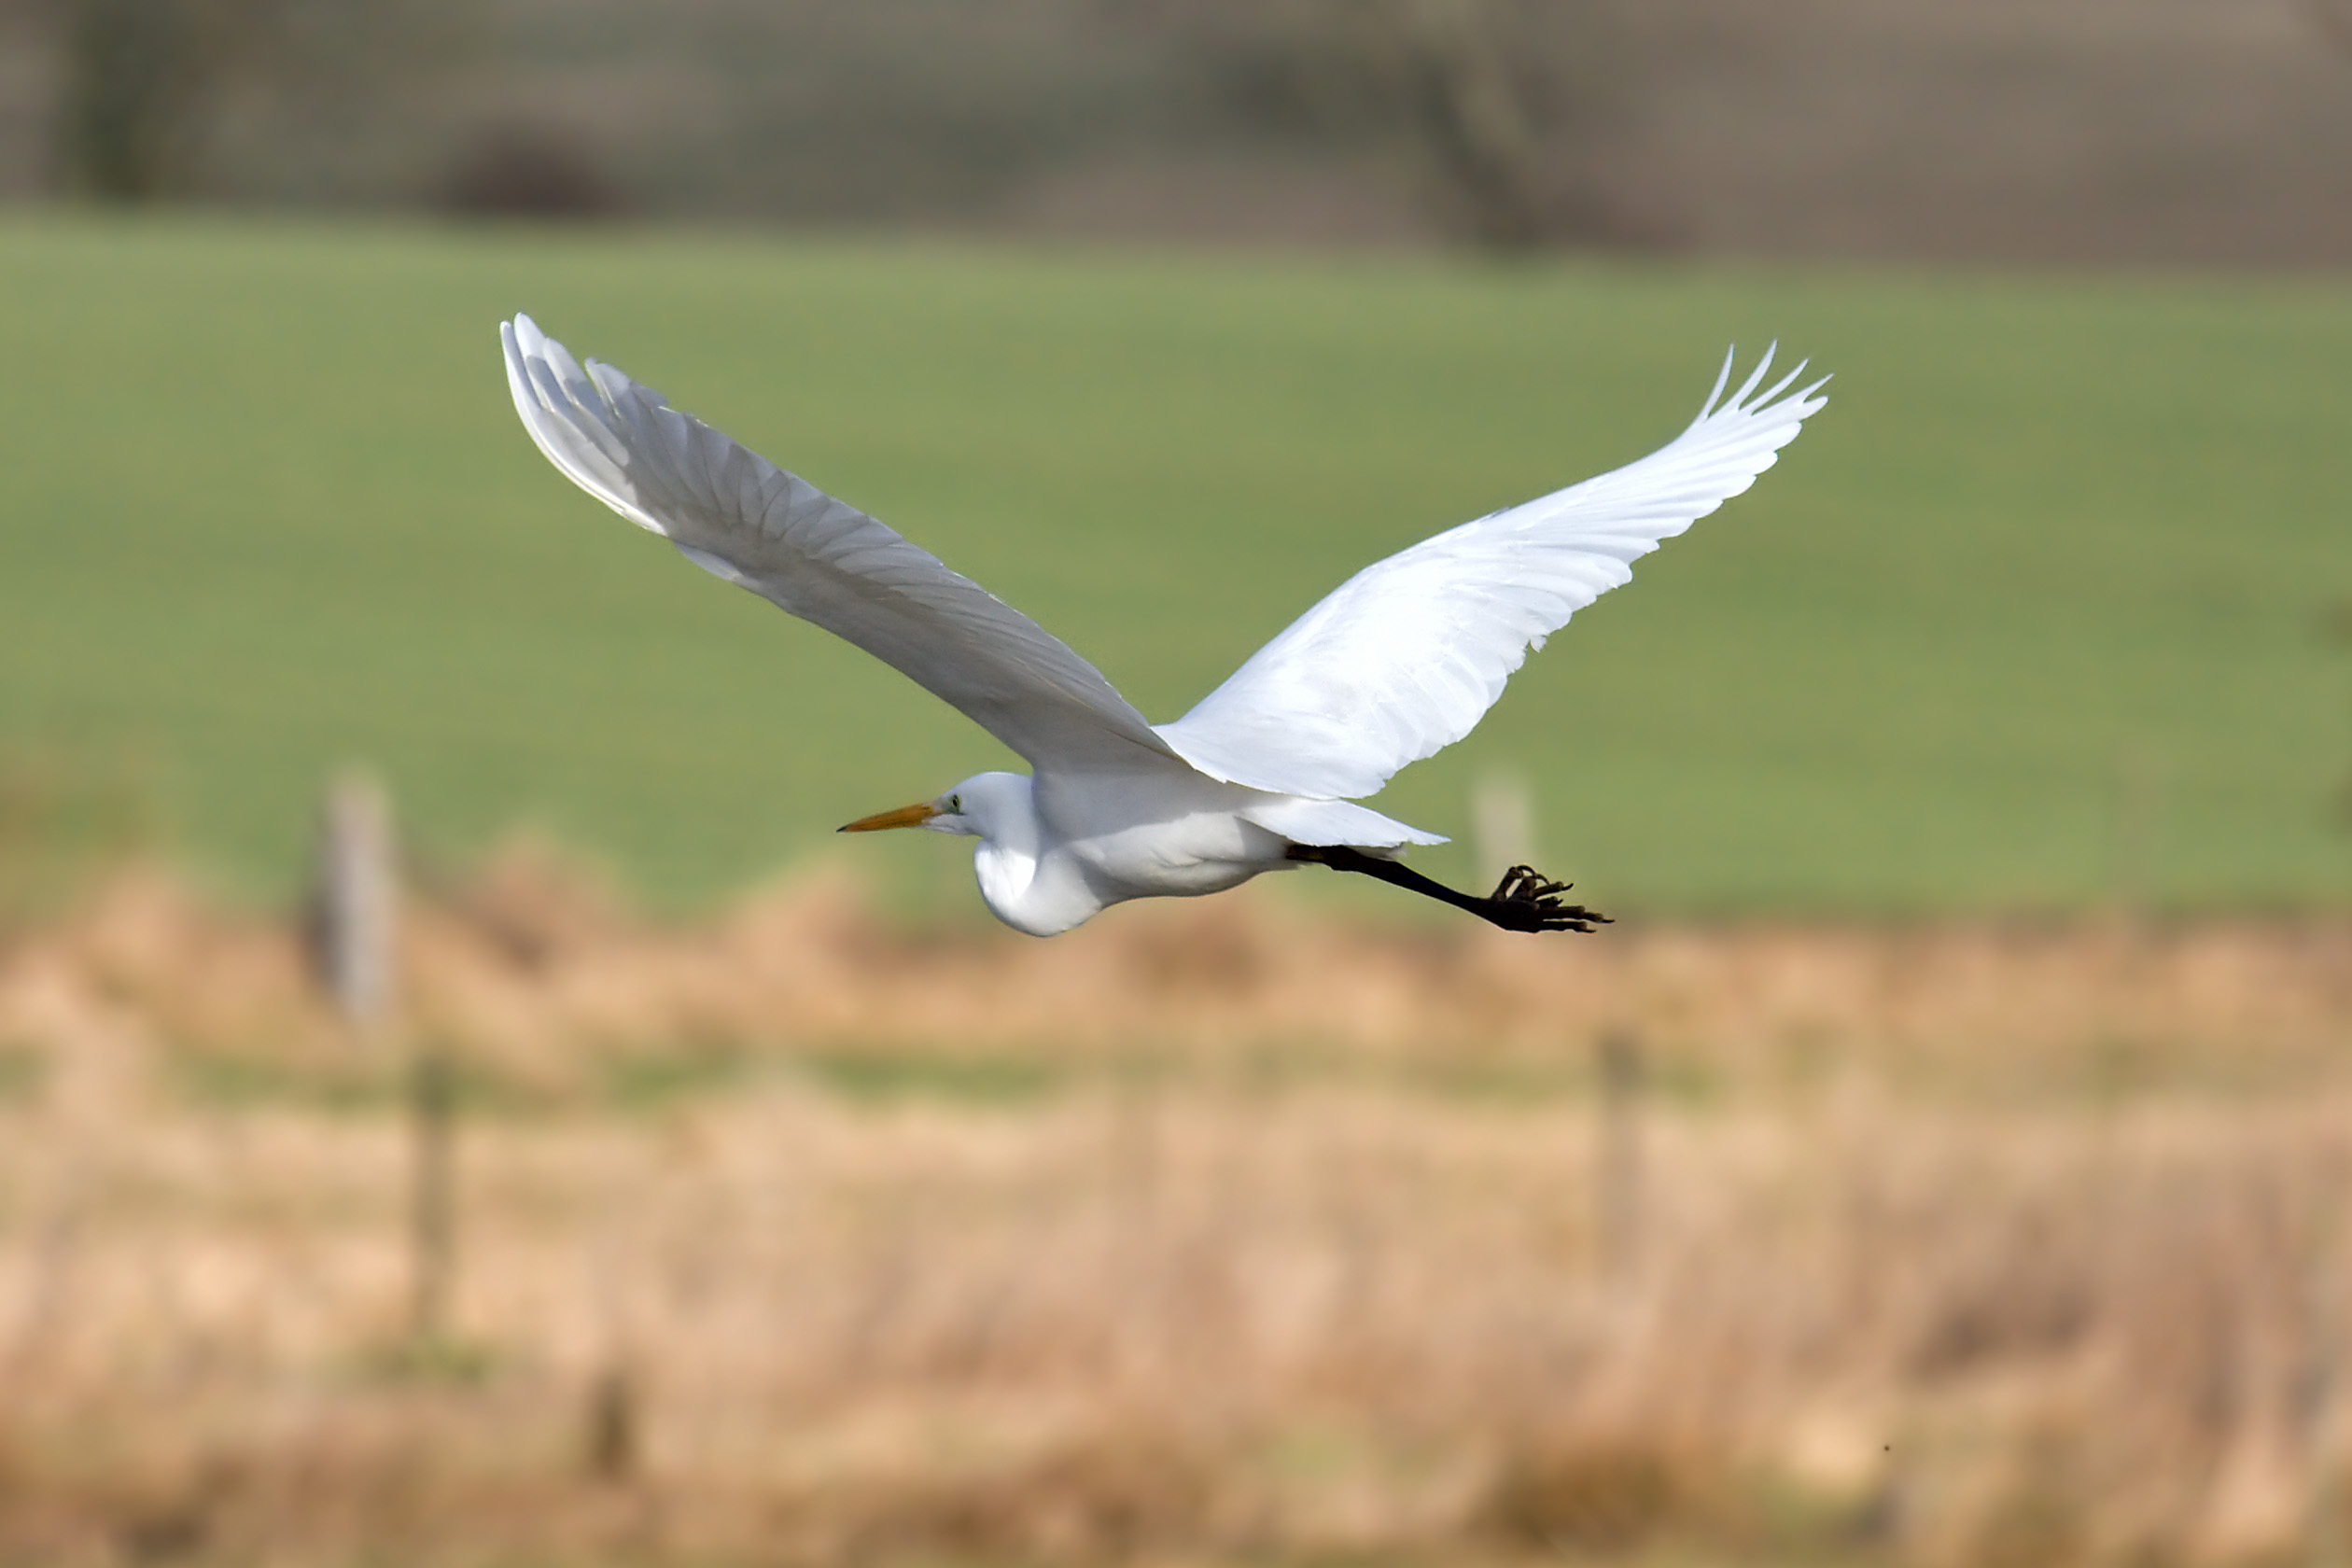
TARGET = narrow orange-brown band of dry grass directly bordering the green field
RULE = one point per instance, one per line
(530, 972)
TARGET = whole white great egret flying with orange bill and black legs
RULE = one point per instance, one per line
(1401, 662)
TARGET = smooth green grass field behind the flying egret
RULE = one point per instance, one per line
(2040, 608)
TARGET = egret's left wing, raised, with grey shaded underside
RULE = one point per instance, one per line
(751, 523)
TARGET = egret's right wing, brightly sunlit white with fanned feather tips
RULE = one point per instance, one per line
(1410, 655)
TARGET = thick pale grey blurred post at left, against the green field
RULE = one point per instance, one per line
(356, 904)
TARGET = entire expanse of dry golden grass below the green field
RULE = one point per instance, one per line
(1944, 1247)
